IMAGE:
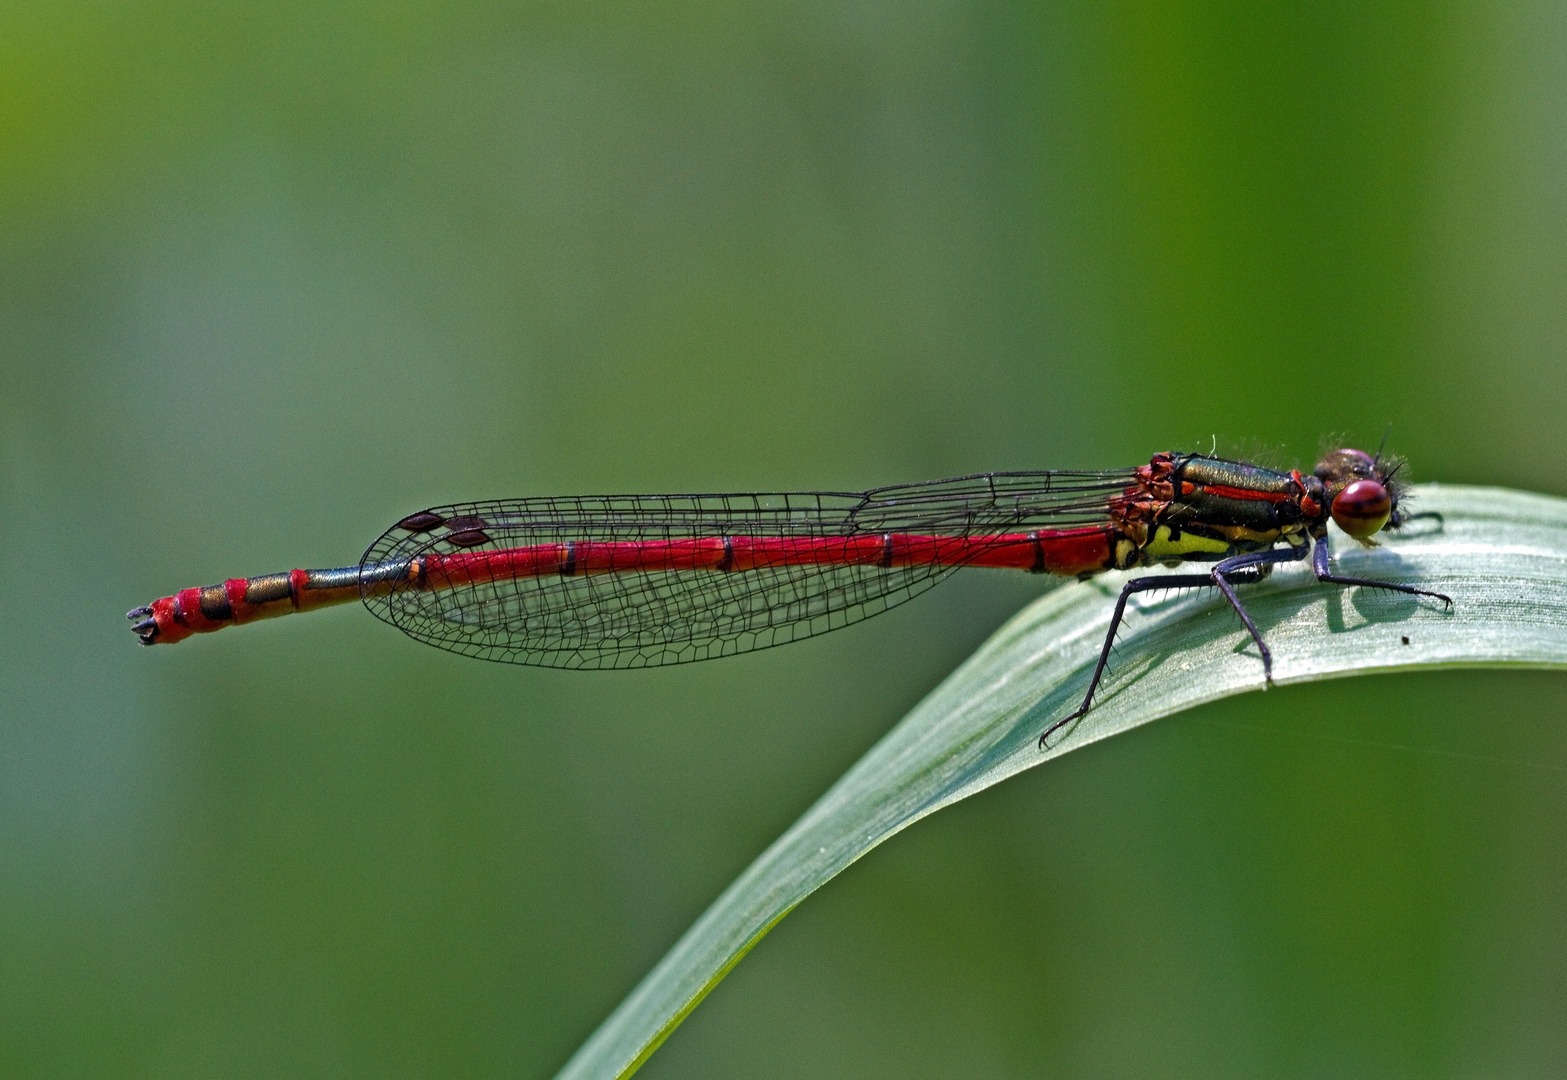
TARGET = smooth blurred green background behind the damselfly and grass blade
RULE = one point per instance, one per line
(275, 277)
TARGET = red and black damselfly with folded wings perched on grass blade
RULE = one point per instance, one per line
(645, 581)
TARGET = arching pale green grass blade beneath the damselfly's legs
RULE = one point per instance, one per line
(1502, 557)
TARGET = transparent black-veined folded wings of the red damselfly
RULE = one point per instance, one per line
(645, 618)
